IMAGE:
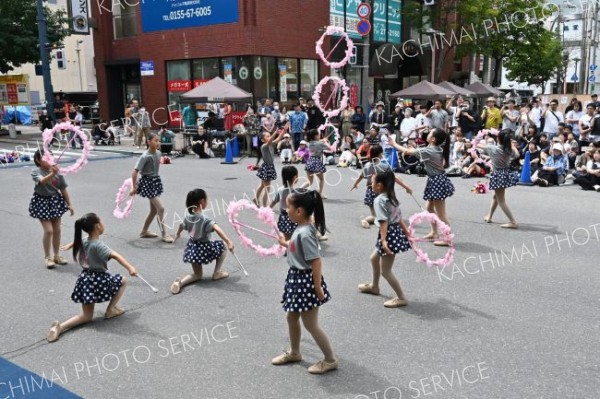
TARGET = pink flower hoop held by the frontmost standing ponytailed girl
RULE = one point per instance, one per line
(266, 216)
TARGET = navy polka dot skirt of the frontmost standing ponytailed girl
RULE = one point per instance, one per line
(299, 291)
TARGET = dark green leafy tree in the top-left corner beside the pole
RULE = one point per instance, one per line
(19, 42)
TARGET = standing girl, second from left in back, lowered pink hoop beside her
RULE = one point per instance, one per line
(150, 186)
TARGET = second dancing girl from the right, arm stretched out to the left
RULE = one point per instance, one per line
(435, 159)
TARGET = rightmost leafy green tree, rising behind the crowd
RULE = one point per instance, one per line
(537, 69)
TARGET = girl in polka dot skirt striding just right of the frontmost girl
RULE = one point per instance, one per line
(393, 237)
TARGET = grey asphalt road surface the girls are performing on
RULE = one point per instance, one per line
(515, 315)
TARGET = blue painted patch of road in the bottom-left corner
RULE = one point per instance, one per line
(17, 382)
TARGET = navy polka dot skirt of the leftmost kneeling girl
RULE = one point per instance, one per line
(96, 287)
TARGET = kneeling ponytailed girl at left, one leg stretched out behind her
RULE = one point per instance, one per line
(94, 284)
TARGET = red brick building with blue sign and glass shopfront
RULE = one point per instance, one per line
(269, 50)
